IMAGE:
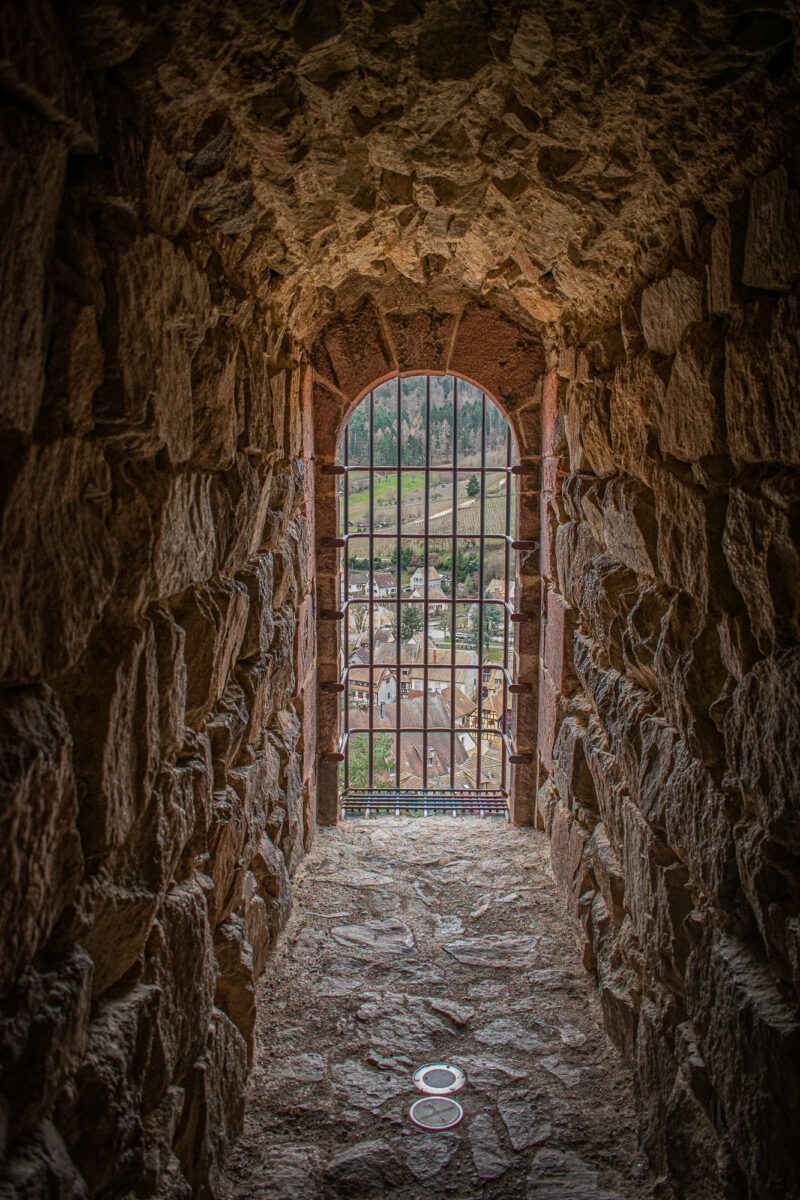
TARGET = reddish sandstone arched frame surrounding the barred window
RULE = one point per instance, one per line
(357, 351)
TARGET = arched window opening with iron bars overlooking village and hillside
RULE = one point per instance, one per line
(428, 568)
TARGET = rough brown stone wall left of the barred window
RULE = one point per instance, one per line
(153, 772)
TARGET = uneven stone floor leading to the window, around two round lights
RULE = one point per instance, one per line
(414, 941)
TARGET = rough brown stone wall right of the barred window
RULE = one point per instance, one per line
(670, 717)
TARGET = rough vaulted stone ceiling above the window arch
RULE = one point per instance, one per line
(542, 158)
